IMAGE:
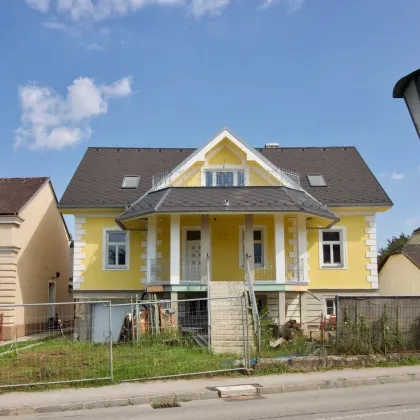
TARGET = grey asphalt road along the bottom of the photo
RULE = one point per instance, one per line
(383, 402)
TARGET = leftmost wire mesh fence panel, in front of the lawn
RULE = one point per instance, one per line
(54, 343)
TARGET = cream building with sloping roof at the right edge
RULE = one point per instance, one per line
(399, 273)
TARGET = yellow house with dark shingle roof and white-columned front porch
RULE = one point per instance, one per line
(299, 221)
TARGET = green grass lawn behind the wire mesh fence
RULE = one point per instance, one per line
(60, 360)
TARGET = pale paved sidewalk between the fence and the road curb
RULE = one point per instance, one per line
(195, 389)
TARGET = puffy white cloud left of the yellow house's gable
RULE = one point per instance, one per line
(52, 121)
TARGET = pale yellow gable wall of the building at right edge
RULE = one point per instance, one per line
(399, 276)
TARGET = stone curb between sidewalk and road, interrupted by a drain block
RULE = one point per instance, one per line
(208, 395)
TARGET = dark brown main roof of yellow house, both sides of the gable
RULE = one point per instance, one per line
(98, 178)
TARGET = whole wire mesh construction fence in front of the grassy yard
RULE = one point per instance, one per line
(104, 341)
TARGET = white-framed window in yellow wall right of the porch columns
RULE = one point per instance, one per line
(332, 248)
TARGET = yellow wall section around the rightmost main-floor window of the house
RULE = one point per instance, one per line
(355, 276)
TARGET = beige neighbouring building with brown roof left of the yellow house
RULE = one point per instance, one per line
(34, 255)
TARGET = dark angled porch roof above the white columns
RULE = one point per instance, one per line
(226, 199)
